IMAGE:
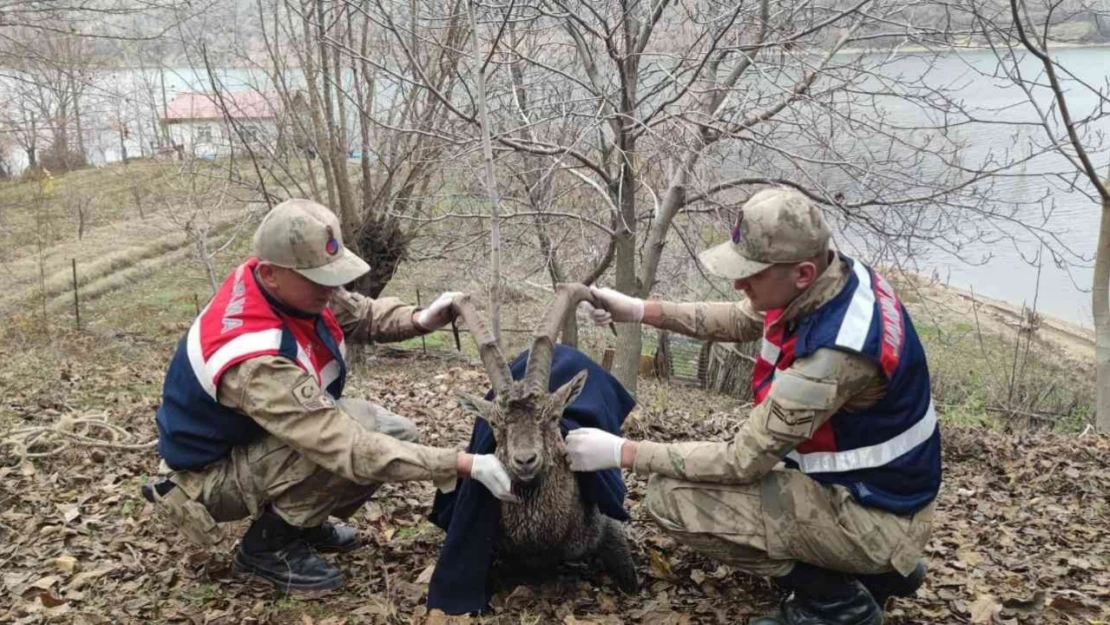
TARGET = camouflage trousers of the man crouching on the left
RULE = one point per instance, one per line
(271, 472)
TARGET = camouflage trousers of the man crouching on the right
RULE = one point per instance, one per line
(764, 528)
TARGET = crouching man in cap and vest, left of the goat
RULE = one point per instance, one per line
(254, 422)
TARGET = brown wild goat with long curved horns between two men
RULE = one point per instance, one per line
(552, 523)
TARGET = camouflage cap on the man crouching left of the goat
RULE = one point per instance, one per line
(306, 237)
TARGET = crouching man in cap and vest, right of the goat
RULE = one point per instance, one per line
(843, 400)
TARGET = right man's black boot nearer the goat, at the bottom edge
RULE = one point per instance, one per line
(823, 598)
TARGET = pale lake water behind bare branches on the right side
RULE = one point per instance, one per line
(1005, 265)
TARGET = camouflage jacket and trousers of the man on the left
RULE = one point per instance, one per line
(318, 458)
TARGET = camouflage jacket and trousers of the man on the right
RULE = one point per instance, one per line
(735, 501)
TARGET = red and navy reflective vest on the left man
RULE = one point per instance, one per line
(240, 324)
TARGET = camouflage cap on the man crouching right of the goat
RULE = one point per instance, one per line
(775, 226)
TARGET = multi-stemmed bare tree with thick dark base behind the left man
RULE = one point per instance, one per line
(341, 97)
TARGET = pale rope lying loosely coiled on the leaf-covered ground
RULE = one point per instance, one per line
(44, 441)
